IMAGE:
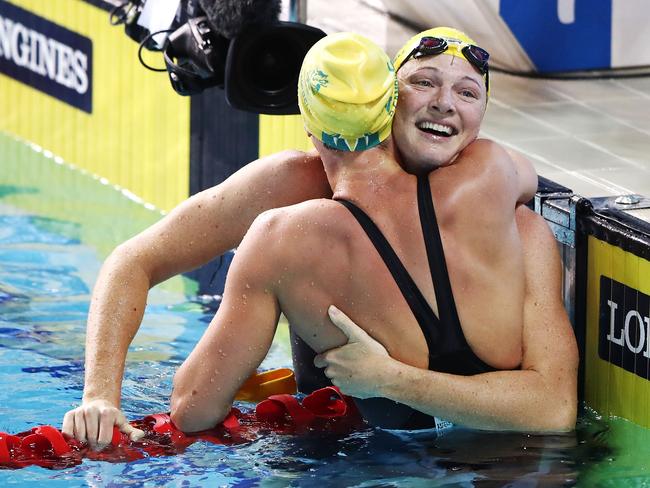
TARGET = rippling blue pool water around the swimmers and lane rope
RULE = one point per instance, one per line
(57, 224)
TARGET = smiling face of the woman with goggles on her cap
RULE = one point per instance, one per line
(442, 100)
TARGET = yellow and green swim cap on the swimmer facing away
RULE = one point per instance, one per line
(347, 92)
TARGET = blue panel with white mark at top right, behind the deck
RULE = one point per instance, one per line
(554, 46)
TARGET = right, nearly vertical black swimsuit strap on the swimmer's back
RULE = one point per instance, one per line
(447, 312)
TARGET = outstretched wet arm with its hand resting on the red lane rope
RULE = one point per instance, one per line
(199, 229)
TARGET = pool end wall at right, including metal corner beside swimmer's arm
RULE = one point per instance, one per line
(605, 247)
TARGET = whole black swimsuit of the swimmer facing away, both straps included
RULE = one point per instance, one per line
(448, 349)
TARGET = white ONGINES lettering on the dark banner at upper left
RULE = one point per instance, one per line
(44, 56)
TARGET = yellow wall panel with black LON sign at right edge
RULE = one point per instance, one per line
(617, 348)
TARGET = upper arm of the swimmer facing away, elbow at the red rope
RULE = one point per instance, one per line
(236, 341)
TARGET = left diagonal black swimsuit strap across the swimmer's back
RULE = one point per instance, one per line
(416, 302)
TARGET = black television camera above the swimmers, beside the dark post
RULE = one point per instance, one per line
(237, 45)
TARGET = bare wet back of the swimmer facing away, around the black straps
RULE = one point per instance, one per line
(332, 261)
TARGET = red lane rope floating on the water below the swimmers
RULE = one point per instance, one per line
(324, 410)
